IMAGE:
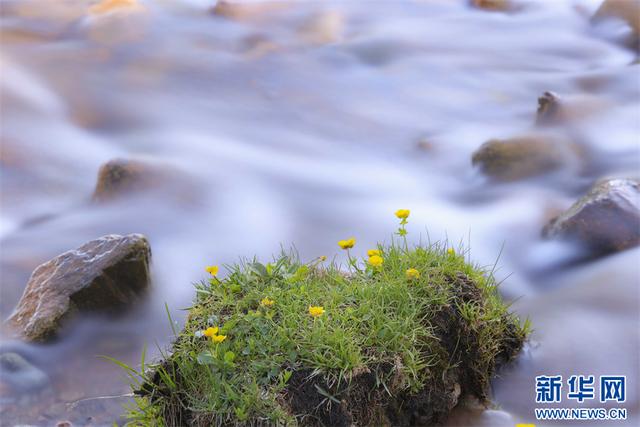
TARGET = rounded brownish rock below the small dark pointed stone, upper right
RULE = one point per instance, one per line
(522, 157)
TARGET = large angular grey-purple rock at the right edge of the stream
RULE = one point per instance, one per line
(605, 220)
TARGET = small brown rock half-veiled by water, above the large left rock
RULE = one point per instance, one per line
(119, 177)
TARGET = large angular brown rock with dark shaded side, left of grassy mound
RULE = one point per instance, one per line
(103, 275)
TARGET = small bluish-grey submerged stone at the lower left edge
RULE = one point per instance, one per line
(19, 375)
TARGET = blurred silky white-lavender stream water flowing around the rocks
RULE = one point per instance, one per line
(299, 125)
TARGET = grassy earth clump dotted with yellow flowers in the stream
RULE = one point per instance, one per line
(314, 344)
